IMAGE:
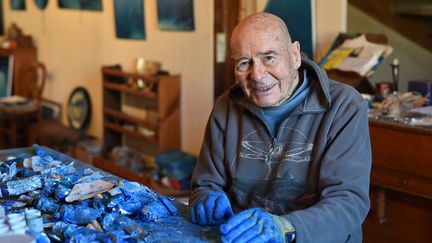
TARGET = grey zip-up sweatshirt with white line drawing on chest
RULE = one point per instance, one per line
(315, 172)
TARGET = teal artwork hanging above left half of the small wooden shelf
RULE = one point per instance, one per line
(129, 19)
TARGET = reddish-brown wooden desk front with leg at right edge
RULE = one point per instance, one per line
(401, 161)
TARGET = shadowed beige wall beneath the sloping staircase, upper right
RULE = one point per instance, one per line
(415, 61)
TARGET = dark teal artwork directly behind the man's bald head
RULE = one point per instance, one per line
(297, 15)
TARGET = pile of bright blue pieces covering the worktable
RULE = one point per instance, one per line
(89, 205)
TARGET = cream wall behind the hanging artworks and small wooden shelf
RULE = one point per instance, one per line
(75, 44)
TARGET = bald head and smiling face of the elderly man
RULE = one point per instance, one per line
(266, 62)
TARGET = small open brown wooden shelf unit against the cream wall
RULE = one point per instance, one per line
(141, 112)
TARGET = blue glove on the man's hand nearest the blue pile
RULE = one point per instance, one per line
(212, 209)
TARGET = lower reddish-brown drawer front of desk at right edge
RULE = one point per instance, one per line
(399, 181)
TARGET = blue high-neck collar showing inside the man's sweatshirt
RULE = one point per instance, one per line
(276, 115)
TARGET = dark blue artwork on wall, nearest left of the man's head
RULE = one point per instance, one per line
(175, 15)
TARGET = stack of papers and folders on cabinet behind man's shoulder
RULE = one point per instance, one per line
(357, 55)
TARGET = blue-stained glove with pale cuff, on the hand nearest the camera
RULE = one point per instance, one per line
(257, 225)
